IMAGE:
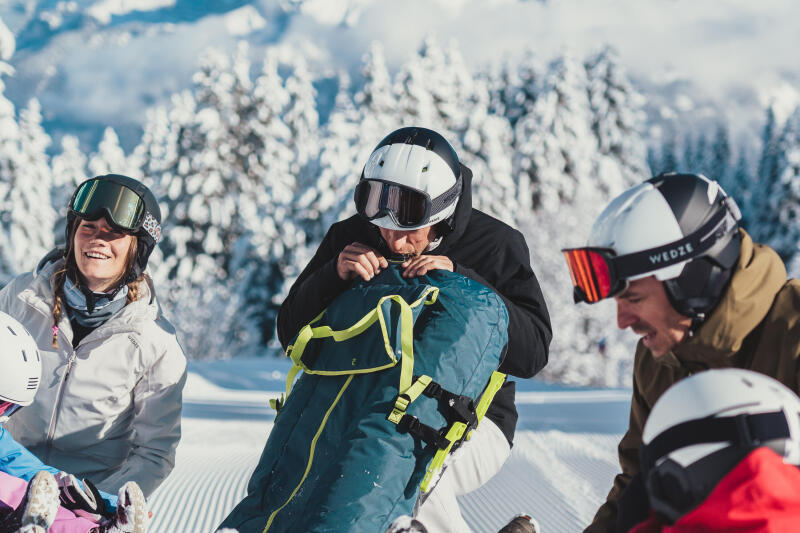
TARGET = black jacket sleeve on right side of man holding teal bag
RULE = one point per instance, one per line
(512, 278)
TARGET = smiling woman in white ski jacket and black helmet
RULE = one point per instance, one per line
(109, 404)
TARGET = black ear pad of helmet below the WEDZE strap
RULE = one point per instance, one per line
(699, 287)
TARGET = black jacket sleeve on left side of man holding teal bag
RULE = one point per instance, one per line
(315, 288)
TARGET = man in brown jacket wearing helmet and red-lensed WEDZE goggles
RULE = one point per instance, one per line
(697, 290)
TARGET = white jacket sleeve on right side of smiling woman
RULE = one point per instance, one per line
(156, 424)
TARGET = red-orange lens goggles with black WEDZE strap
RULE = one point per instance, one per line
(599, 273)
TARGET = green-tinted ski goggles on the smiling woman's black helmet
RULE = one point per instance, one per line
(124, 207)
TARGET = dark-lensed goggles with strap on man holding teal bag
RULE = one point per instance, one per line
(406, 206)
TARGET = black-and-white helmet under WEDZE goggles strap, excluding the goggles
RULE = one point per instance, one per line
(673, 208)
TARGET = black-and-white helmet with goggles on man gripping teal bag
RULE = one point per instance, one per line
(412, 180)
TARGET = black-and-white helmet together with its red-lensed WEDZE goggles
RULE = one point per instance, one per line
(680, 228)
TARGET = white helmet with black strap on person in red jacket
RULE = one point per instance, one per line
(703, 425)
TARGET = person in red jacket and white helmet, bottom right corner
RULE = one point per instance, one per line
(720, 452)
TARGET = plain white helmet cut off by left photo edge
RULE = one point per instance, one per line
(21, 364)
